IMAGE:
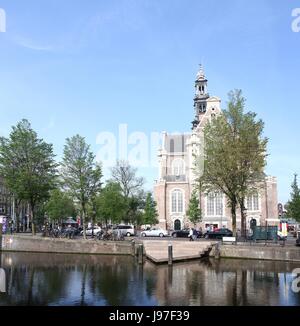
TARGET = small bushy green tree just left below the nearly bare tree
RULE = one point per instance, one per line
(111, 205)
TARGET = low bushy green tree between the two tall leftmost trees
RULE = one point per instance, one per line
(59, 206)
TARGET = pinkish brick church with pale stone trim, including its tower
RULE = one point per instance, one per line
(174, 186)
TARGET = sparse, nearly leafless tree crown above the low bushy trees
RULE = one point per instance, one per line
(125, 175)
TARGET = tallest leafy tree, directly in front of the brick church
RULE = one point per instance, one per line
(234, 153)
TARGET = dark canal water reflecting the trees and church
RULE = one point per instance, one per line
(75, 280)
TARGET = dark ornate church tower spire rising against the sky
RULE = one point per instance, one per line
(201, 96)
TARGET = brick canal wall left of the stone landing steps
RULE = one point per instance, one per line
(65, 246)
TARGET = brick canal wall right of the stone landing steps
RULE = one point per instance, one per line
(291, 254)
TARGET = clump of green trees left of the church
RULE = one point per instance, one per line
(74, 186)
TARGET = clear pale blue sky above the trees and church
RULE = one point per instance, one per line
(84, 67)
